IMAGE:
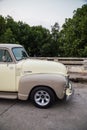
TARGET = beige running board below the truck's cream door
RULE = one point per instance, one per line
(8, 95)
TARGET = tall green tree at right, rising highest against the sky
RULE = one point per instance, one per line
(73, 36)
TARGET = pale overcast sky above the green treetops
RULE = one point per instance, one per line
(40, 12)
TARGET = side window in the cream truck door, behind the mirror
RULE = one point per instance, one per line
(5, 56)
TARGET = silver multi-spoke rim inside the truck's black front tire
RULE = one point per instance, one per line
(42, 98)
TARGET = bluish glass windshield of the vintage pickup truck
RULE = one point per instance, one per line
(19, 53)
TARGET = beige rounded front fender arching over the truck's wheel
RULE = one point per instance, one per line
(54, 81)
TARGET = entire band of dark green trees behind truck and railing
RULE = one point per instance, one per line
(71, 40)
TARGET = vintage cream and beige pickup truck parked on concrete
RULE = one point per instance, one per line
(23, 78)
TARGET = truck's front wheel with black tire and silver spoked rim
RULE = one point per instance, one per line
(42, 97)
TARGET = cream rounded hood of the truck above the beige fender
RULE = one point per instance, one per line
(40, 66)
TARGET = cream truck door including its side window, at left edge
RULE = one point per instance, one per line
(7, 71)
